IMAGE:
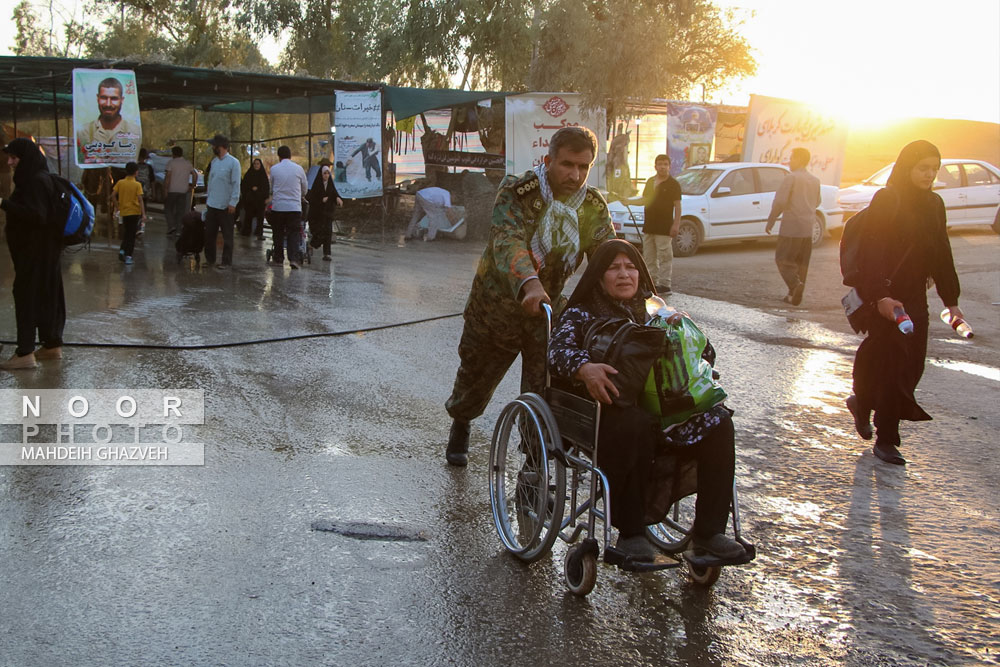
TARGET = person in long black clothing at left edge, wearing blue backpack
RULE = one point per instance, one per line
(34, 238)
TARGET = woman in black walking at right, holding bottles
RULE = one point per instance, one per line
(906, 243)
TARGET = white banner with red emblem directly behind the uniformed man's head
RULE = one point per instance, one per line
(533, 118)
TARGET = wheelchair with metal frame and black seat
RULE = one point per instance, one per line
(544, 485)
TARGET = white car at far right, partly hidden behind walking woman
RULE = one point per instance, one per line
(970, 190)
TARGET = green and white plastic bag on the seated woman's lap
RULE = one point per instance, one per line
(680, 384)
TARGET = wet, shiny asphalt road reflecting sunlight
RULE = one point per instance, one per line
(859, 563)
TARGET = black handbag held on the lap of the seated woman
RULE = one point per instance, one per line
(629, 348)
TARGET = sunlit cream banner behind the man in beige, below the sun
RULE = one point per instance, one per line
(776, 126)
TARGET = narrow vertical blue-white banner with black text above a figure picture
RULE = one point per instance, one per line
(358, 144)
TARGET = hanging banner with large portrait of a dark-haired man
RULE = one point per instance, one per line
(106, 118)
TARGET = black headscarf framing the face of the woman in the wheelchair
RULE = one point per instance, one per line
(590, 294)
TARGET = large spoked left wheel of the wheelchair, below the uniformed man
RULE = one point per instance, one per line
(527, 485)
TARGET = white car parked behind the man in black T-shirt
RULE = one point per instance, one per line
(726, 201)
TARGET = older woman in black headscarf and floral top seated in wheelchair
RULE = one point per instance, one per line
(630, 440)
